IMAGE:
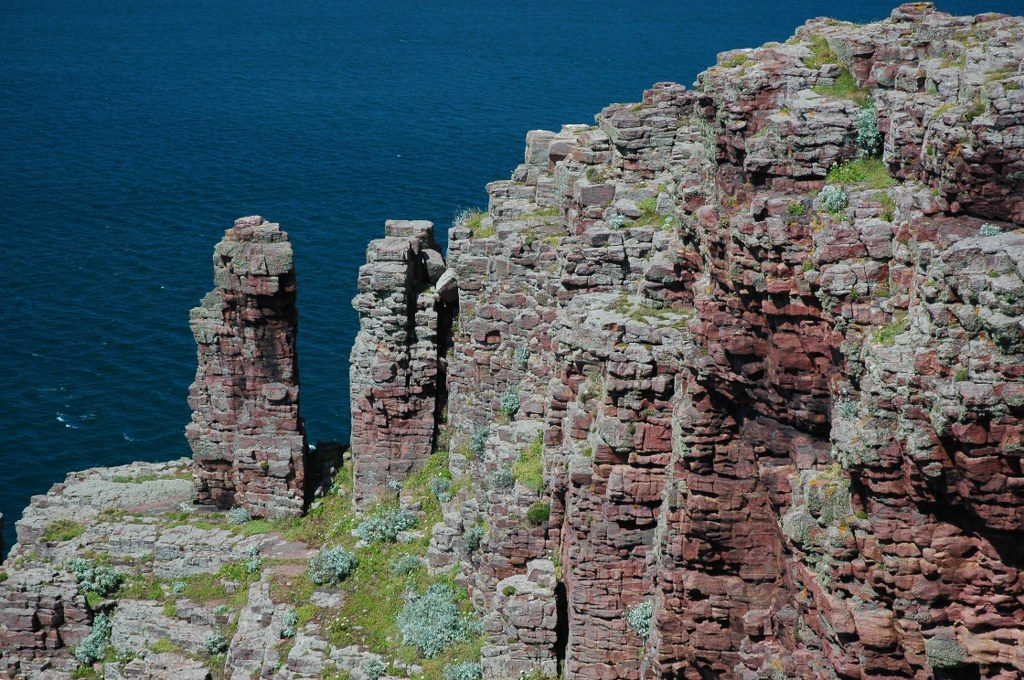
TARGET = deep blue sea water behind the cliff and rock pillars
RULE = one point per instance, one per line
(134, 133)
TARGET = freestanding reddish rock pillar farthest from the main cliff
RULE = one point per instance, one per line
(247, 437)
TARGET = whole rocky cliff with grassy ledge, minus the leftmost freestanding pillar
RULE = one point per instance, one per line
(729, 385)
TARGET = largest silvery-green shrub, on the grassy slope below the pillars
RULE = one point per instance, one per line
(432, 621)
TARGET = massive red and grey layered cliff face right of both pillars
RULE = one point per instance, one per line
(787, 427)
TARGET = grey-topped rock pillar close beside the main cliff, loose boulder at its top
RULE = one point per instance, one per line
(395, 363)
